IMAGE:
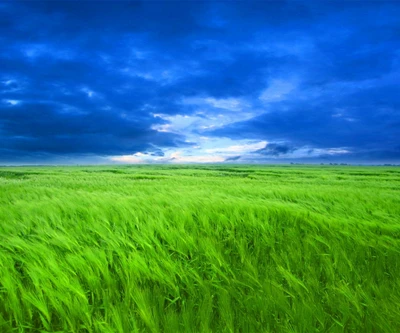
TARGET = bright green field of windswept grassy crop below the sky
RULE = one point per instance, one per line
(200, 249)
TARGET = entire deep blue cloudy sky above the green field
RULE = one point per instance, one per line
(199, 82)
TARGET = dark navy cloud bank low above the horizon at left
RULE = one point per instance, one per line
(48, 129)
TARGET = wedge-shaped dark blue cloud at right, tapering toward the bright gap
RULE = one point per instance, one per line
(366, 120)
